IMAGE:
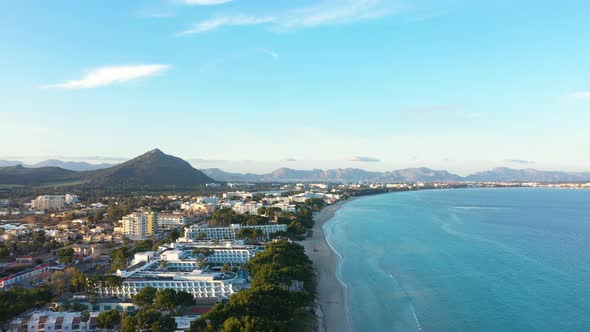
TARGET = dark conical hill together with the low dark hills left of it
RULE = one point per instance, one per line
(153, 168)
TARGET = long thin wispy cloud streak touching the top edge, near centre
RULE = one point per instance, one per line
(324, 13)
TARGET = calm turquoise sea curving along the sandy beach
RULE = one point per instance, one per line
(466, 260)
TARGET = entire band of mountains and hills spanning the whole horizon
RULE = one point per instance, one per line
(156, 168)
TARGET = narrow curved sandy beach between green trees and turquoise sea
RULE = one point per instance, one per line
(331, 297)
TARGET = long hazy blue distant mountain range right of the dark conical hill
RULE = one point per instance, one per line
(422, 174)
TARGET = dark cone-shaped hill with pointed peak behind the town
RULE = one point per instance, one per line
(153, 168)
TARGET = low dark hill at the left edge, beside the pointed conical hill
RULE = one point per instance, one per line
(31, 176)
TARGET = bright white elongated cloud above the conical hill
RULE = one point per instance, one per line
(110, 75)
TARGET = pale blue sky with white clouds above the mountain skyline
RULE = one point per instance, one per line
(254, 85)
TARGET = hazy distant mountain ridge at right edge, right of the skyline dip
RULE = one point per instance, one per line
(509, 174)
